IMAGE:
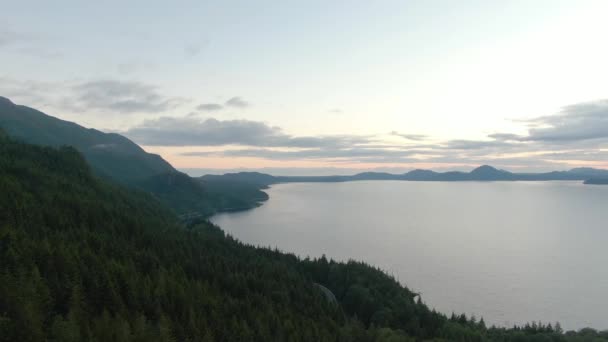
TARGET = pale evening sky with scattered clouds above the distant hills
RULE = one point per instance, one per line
(316, 87)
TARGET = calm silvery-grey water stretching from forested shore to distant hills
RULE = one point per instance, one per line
(508, 251)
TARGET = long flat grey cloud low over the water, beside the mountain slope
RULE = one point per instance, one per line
(190, 131)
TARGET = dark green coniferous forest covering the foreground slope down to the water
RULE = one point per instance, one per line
(85, 259)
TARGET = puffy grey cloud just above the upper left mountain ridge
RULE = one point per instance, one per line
(122, 97)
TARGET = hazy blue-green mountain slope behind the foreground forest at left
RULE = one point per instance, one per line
(113, 156)
